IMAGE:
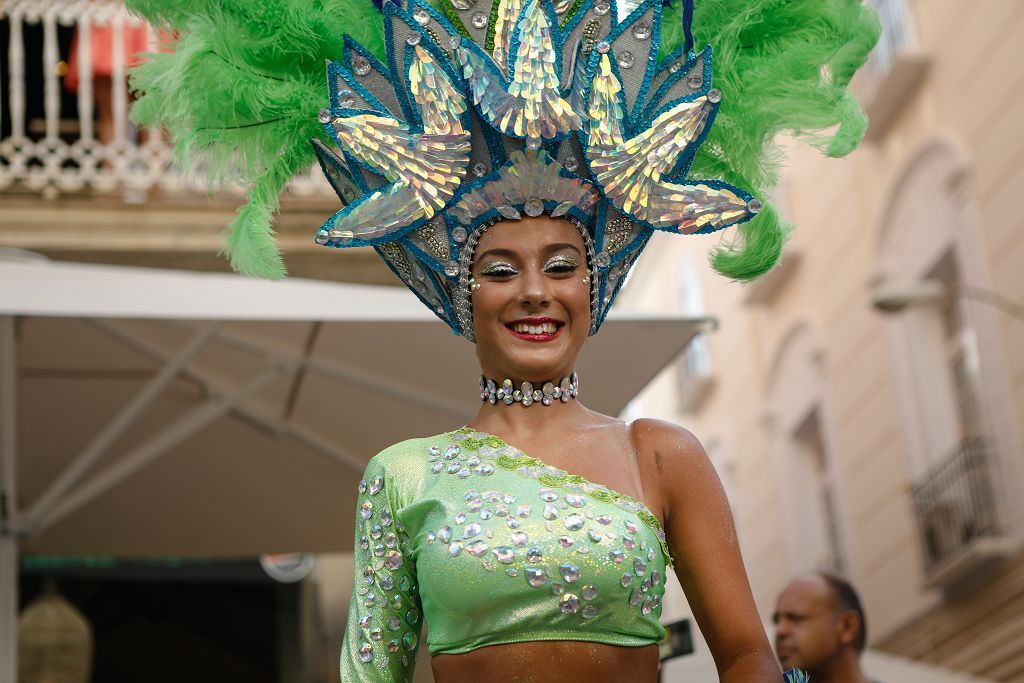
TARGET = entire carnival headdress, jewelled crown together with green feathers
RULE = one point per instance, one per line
(477, 111)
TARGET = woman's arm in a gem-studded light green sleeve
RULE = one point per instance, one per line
(385, 615)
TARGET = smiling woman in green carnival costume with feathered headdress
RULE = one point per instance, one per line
(510, 162)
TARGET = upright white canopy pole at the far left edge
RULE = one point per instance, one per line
(9, 505)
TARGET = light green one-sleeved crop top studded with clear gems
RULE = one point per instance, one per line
(490, 546)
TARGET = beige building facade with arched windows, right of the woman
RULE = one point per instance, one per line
(883, 446)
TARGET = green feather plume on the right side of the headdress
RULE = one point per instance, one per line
(784, 67)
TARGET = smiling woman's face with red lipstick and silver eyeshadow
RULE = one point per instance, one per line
(532, 312)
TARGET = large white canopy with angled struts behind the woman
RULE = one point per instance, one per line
(166, 413)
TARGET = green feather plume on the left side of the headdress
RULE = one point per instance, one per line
(240, 95)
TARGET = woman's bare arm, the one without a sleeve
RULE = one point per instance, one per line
(703, 540)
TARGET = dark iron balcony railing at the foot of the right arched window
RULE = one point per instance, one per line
(956, 506)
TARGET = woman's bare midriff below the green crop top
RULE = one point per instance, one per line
(542, 662)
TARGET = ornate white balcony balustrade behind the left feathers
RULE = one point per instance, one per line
(64, 151)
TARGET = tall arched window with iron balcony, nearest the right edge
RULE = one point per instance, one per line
(956, 403)
